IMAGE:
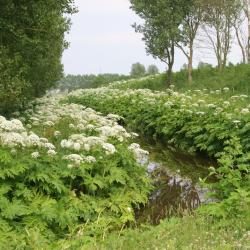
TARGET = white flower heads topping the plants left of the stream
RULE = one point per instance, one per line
(87, 131)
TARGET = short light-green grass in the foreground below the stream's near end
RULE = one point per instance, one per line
(189, 233)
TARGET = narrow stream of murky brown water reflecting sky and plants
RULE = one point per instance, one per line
(175, 177)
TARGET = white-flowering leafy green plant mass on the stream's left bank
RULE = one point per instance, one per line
(68, 174)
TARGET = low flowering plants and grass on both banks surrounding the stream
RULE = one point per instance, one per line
(72, 174)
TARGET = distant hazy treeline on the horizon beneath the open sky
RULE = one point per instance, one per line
(73, 82)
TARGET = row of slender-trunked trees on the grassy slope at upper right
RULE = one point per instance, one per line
(212, 26)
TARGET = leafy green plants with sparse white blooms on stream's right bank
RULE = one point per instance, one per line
(214, 123)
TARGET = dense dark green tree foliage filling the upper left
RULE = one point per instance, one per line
(31, 46)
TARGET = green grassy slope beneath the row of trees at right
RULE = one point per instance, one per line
(237, 78)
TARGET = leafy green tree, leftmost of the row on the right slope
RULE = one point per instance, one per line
(161, 28)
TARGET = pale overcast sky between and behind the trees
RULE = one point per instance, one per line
(102, 40)
